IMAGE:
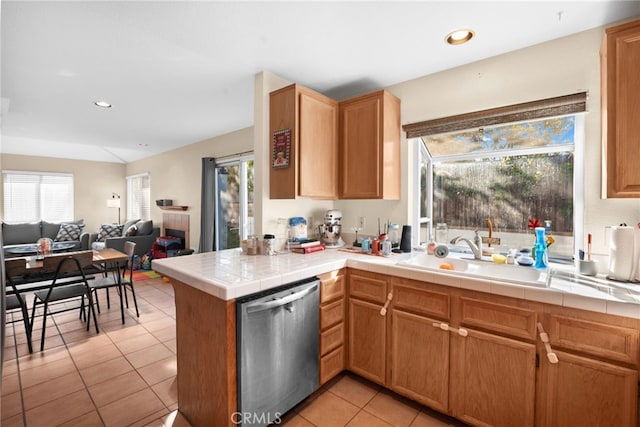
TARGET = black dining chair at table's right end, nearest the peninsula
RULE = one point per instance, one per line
(120, 277)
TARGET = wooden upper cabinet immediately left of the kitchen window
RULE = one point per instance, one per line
(370, 147)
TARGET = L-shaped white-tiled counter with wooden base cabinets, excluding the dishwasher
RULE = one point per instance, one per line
(467, 331)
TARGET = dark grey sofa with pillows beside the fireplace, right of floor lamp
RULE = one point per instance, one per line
(141, 232)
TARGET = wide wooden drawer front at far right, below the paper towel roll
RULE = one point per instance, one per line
(599, 339)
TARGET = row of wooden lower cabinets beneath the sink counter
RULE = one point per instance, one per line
(478, 357)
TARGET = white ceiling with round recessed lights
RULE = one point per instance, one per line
(181, 72)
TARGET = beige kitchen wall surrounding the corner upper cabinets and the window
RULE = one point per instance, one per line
(559, 67)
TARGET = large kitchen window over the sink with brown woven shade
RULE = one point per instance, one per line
(509, 171)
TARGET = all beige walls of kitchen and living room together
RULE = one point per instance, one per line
(558, 67)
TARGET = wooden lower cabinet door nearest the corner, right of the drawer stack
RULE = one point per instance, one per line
(367, 340)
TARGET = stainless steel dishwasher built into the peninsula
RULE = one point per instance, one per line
(277, 351)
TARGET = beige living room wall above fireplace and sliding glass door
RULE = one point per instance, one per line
(177, 174)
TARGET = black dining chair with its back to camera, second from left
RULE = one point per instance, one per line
(69, 282)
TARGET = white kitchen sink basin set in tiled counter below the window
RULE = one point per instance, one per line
(462, 266)
